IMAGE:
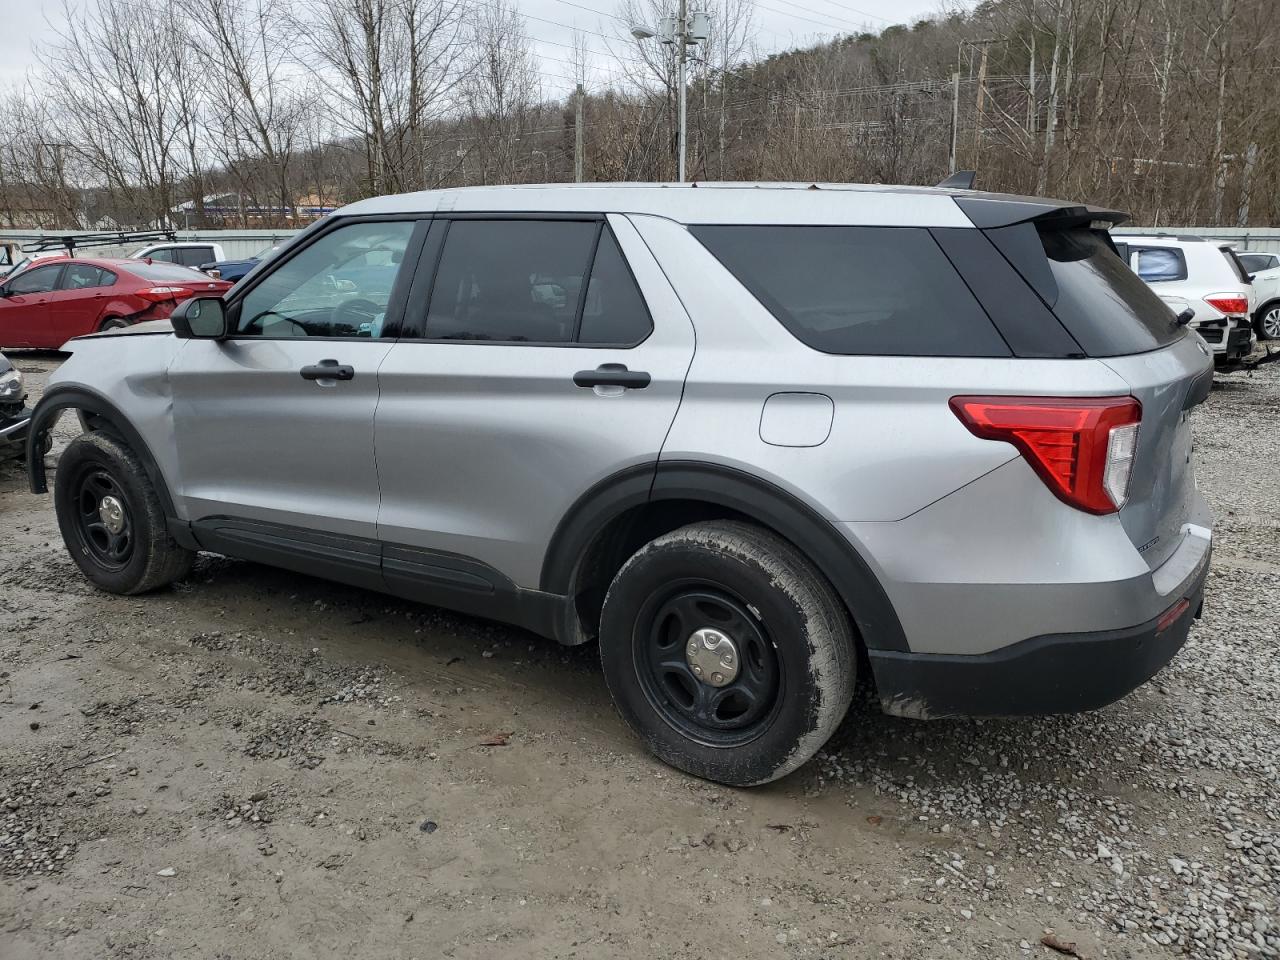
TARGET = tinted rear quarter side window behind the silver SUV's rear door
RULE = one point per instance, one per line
(885, 291)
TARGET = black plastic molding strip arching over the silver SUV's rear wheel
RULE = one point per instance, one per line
(742, 493)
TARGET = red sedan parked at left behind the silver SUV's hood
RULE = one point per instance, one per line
(49, 304)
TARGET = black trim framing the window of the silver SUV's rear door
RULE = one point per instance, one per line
(424, 284)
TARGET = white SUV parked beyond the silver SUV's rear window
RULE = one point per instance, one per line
(1205, 277)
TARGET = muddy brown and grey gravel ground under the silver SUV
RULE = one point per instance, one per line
(260, 765)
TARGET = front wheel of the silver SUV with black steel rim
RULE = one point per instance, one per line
(112, 520)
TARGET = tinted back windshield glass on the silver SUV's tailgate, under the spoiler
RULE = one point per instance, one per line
(1100, 300)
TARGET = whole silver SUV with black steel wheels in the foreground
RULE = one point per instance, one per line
(758, 441)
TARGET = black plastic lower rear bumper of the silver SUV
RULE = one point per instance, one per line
(1055, 674)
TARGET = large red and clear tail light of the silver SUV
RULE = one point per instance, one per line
(1082, 447)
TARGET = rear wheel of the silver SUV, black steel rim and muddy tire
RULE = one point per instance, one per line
(728, 652)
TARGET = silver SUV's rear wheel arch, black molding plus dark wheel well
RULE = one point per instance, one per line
(628, 510)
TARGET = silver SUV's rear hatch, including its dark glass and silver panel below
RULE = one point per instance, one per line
(1067, 257)
